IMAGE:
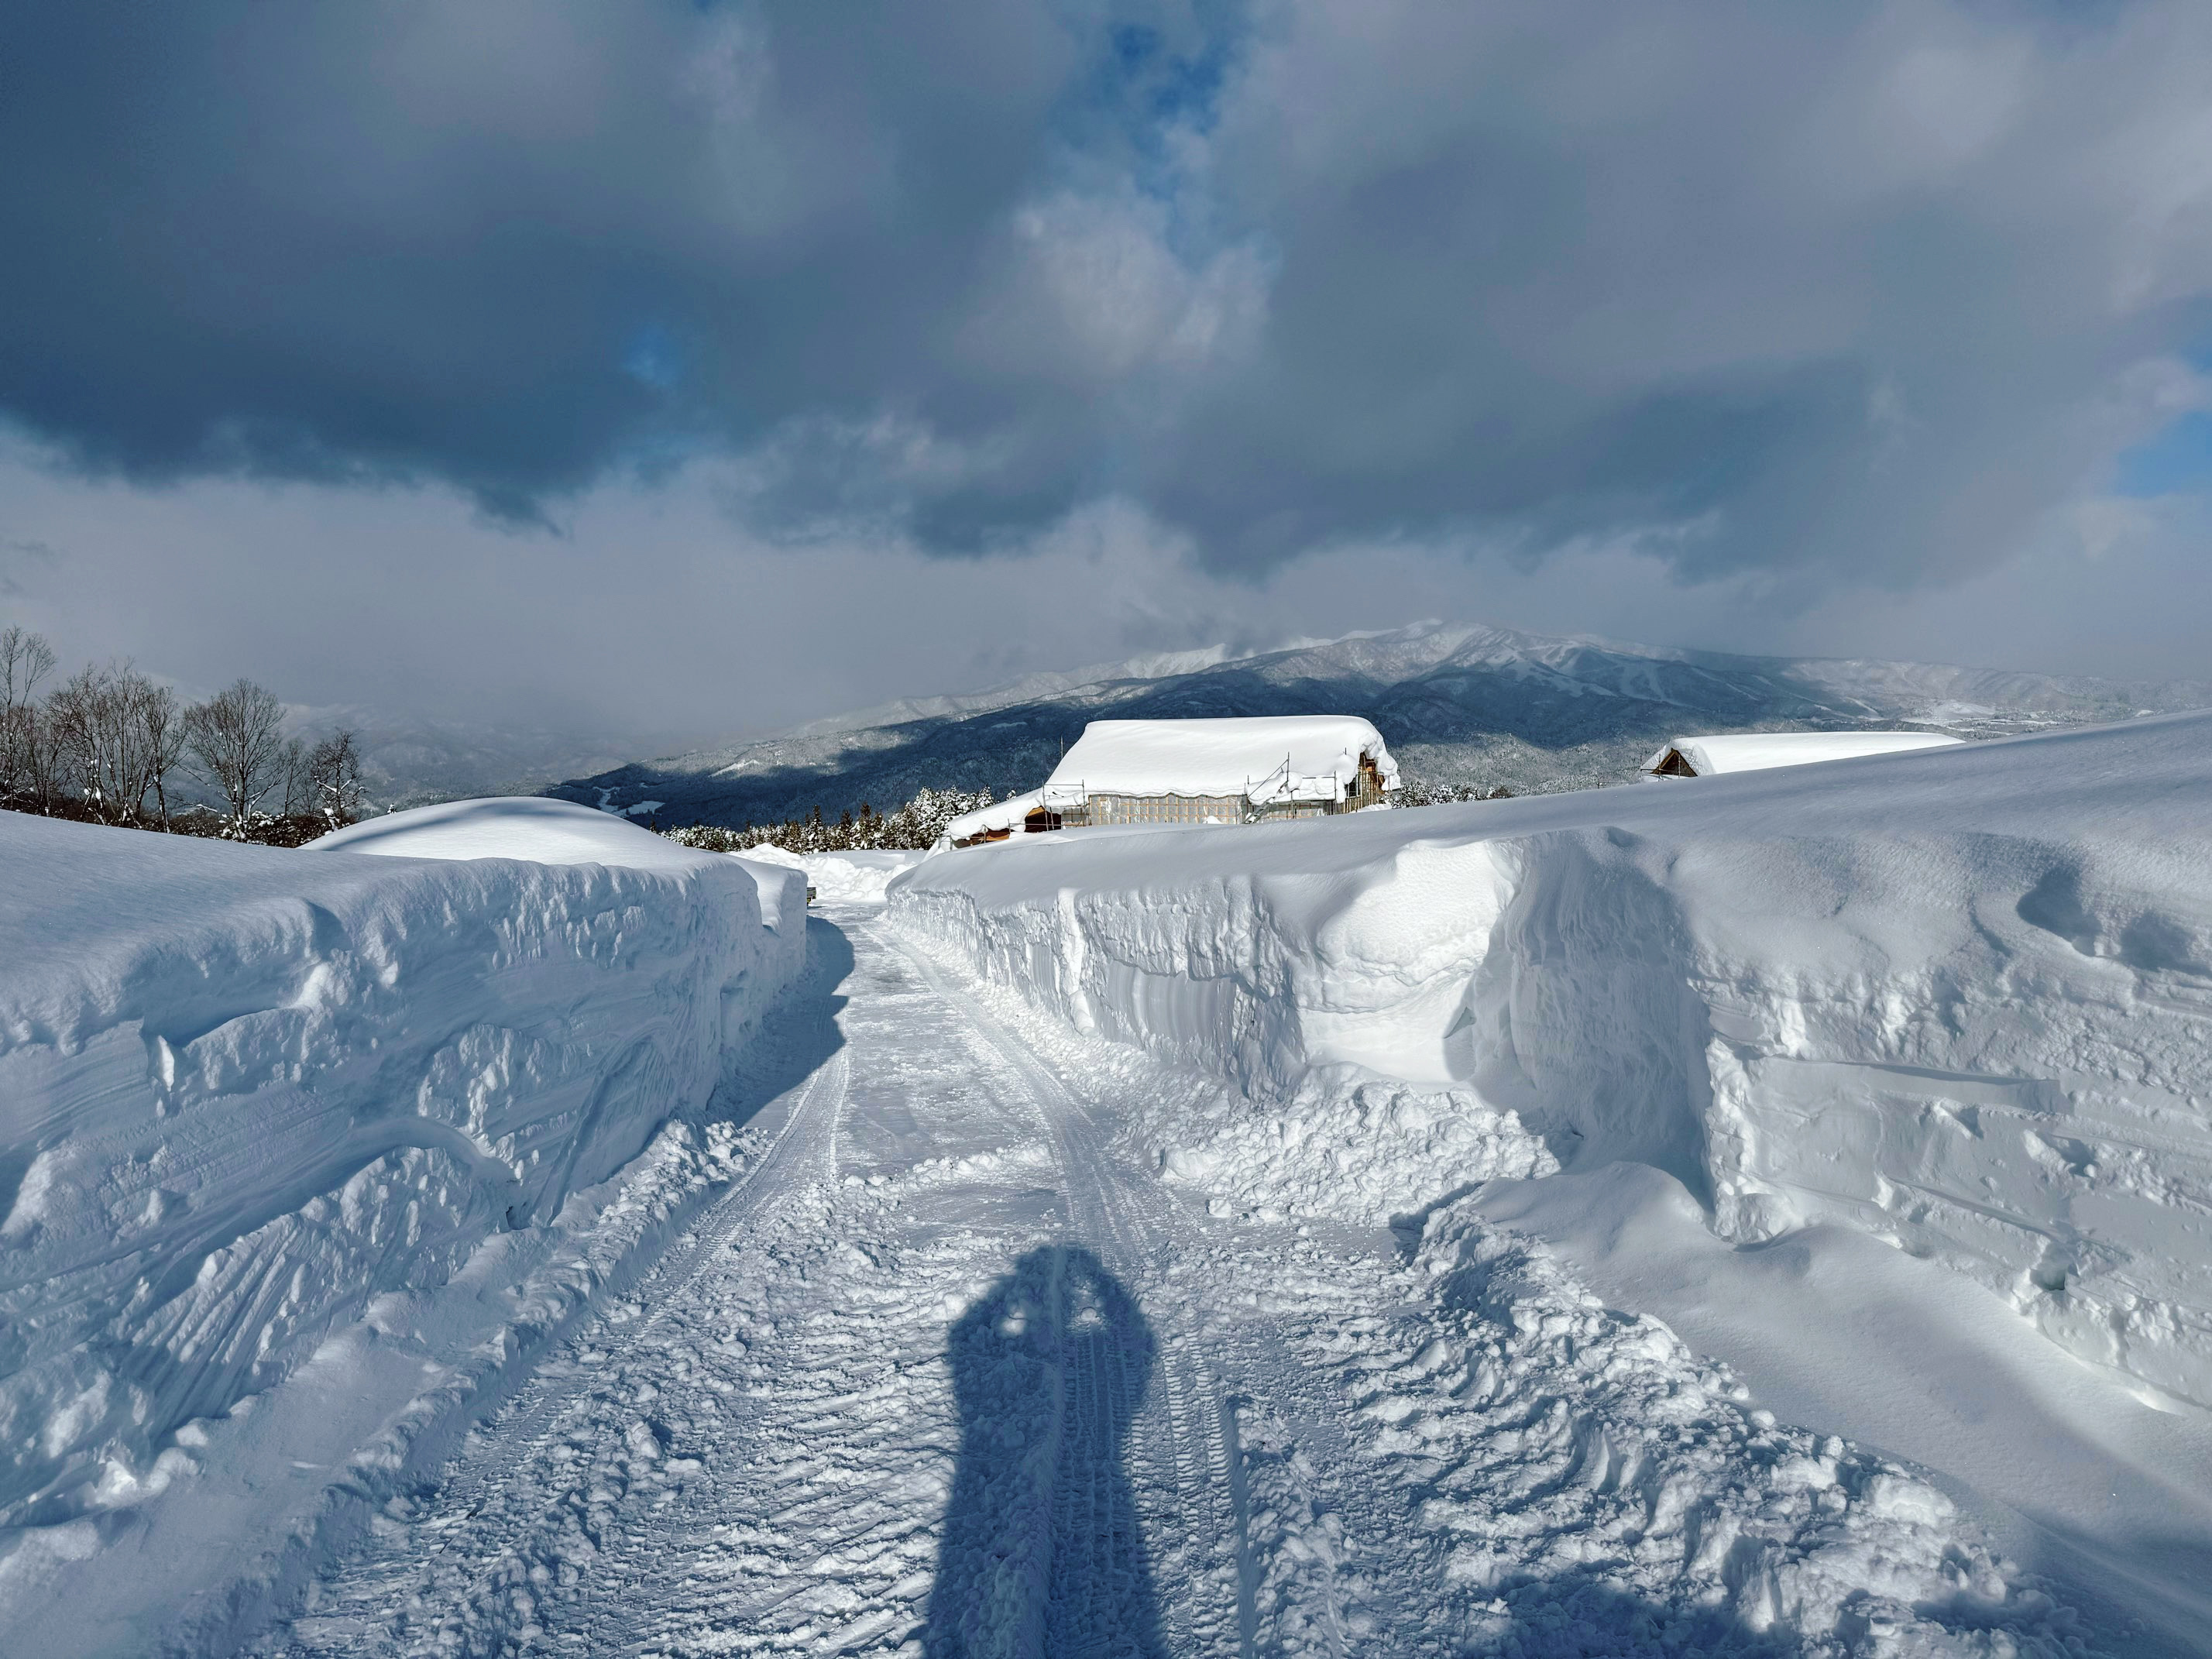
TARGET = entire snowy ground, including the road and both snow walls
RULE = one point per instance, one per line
(1733, 1215)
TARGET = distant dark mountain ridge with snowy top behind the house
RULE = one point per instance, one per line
(1457, 702)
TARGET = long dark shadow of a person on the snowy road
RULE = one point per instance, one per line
(1041, 1536)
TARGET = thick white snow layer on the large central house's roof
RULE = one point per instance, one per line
(1284, 758)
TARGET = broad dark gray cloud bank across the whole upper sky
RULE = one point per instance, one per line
(1853, 293)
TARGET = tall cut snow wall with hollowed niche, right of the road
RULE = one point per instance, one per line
(1959, 999)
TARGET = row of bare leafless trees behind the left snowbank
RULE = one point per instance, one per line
(114, 747)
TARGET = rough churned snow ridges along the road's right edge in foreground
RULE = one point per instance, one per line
(1576, 1461)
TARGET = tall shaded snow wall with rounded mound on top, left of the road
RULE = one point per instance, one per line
(260, 1107)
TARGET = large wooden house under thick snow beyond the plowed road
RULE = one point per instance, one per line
(1202, 771)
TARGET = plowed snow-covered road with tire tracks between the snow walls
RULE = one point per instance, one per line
(946, 1373)
